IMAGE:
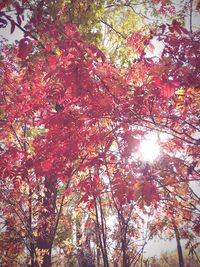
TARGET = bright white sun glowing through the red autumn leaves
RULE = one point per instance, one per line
(149, 148)
